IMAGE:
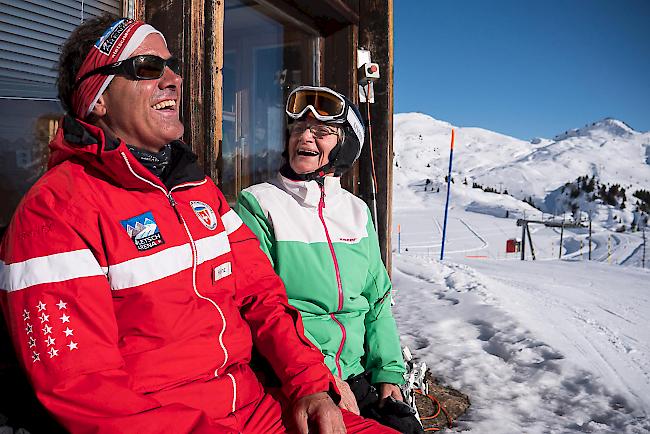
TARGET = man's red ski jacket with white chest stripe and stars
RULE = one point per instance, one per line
(133, 305)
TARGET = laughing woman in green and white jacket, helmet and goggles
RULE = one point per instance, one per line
(322, 243)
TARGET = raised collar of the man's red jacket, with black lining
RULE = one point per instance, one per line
(111, 159)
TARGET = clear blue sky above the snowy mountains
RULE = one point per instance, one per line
(524, 68)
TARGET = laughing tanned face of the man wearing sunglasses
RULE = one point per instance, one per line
(144, 113)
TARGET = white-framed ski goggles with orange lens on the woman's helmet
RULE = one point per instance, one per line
(325, 104)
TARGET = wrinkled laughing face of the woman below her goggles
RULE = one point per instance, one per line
(310, 144)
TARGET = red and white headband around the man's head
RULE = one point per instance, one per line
(116, 44)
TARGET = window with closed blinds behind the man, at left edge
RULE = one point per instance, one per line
(31, 34)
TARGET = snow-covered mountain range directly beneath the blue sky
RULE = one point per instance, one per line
(609, 150)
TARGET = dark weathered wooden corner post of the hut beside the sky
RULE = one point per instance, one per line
(376, 35)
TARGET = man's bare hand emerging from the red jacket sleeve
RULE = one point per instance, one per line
(320, 410)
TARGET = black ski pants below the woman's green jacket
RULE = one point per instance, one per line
(395, 414)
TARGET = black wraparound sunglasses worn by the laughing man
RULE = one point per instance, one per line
(143, 67)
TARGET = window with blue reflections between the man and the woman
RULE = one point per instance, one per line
(264, 58)
